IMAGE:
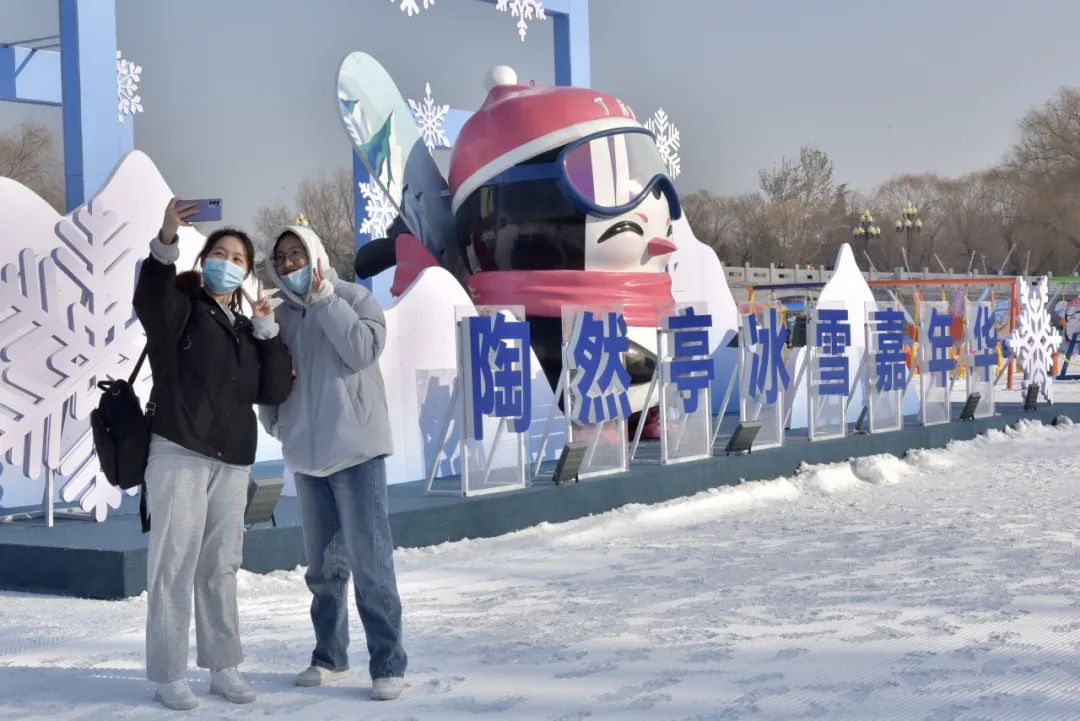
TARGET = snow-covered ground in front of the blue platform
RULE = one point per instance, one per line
(944, 587)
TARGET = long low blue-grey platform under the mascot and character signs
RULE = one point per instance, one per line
(109, 561)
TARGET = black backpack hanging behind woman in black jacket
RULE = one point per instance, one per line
(123, 437)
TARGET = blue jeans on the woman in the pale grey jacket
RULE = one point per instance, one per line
(346, 528)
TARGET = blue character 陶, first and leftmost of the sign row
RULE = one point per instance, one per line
(499, 372)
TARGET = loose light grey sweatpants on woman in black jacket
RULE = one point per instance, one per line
(197, 541)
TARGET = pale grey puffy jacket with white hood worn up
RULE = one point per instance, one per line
(336, 416)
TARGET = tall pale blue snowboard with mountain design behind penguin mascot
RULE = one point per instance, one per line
(388, 141)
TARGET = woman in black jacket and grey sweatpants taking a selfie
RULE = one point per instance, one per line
(211, 364)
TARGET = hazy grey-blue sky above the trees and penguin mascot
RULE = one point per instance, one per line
(239, 94)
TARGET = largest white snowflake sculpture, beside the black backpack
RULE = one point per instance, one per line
(69, 325)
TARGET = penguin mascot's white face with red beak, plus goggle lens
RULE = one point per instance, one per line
(640, 240)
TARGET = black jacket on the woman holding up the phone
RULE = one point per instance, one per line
(208, 373)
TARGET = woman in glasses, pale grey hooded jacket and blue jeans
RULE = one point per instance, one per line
(335, 434)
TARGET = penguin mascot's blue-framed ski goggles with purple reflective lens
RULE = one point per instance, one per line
(605, 174)
